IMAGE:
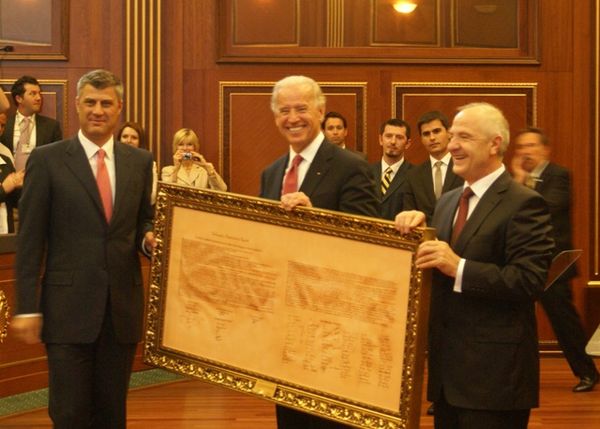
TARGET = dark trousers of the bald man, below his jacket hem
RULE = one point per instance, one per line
(449, 417)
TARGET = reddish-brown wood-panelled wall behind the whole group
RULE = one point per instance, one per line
(183, 75)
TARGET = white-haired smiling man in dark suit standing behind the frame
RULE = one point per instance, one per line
(315, 173)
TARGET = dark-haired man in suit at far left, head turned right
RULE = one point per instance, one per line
(27, 129)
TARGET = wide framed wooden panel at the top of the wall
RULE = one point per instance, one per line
(359, 31)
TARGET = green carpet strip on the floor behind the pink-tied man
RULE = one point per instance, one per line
(39, 398)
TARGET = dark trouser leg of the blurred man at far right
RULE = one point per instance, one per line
(558, 305)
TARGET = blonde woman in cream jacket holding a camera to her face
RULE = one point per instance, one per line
(189, 166)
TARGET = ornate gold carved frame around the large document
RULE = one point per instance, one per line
(379, 234)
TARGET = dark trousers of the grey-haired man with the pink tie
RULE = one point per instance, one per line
(88, 383)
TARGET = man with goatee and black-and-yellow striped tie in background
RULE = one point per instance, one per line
(394, 139)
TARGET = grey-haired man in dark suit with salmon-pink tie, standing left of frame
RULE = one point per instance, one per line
(85, 213)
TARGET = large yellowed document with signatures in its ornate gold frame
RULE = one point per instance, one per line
(312, 309)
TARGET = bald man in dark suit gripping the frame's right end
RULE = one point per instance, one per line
(489, 267)
